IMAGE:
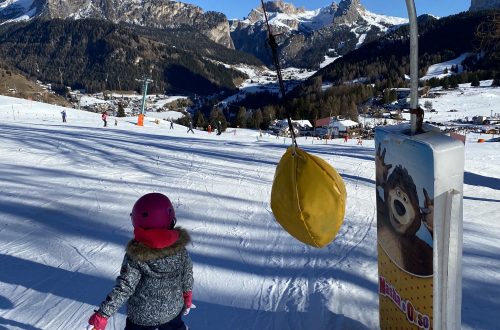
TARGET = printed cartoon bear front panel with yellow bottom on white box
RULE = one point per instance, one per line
(405, 203)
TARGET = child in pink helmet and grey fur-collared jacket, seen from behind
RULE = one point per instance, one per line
(156, 277)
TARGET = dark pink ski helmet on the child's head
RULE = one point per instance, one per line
(152, 211)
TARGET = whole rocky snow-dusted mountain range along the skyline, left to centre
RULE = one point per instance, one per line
(306, 36)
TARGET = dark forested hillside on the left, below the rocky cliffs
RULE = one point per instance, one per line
(97, 55)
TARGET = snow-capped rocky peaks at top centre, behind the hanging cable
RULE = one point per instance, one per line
(307, 36)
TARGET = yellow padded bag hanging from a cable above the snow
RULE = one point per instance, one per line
(308, 197)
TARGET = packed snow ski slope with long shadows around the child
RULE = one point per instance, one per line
(67, 190)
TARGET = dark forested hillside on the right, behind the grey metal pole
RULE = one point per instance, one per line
(369, 70)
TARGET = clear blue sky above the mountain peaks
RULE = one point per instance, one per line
(241, 8)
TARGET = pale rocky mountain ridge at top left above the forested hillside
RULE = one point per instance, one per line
(154, 13)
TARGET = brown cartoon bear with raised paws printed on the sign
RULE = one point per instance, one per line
(400, 218)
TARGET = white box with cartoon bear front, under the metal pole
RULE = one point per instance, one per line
(419, 181)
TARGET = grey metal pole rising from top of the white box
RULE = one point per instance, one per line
(412, 15)
